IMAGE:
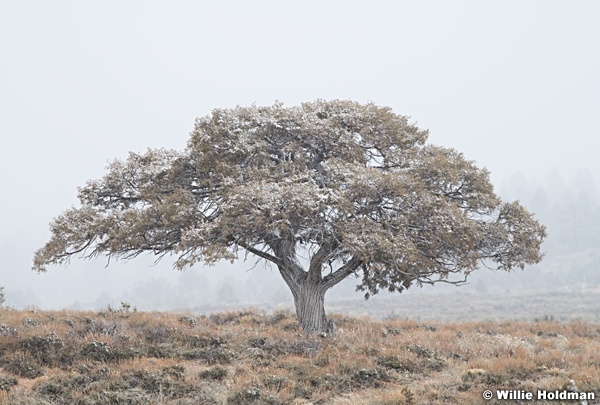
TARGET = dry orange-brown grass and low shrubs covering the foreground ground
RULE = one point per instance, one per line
(244, 357)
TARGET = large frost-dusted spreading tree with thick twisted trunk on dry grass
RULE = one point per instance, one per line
(321, 191)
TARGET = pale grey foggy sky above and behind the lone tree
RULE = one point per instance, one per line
(512, 84)
